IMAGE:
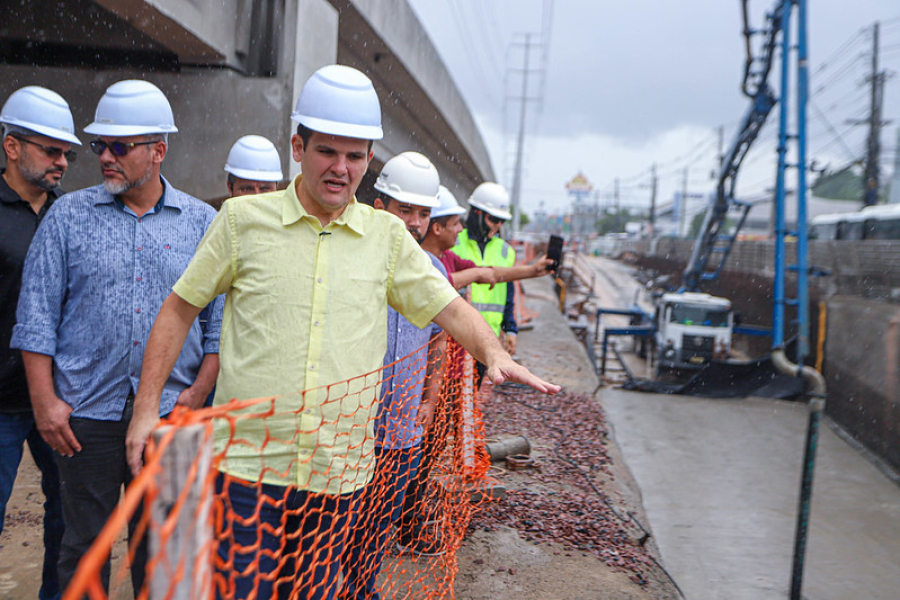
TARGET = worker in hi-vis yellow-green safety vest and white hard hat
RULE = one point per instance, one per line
(480, 242)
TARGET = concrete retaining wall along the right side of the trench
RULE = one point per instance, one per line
(862, 344)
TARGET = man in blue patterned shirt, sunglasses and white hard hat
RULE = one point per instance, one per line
(97, 272)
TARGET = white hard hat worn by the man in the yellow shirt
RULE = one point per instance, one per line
(340, 100)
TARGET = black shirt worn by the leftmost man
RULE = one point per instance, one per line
(18, 223)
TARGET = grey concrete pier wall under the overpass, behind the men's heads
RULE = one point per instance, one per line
(212, 108)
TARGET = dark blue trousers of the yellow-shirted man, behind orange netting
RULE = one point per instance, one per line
(279, 542)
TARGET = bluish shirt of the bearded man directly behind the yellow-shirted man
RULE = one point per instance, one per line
(405, 365)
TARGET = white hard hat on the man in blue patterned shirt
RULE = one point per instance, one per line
(132, 107)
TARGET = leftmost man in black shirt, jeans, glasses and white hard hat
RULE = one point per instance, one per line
(37, 140)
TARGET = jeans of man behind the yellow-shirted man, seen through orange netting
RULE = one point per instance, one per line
(381, 506)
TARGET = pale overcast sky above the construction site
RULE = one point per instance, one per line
(627, 84)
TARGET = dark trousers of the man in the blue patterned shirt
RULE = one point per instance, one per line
(91, 482)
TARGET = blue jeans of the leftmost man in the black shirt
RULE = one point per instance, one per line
(15, 430)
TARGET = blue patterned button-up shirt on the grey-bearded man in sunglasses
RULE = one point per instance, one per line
(95, 278)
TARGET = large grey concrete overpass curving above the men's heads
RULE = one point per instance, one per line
(233, 67)
